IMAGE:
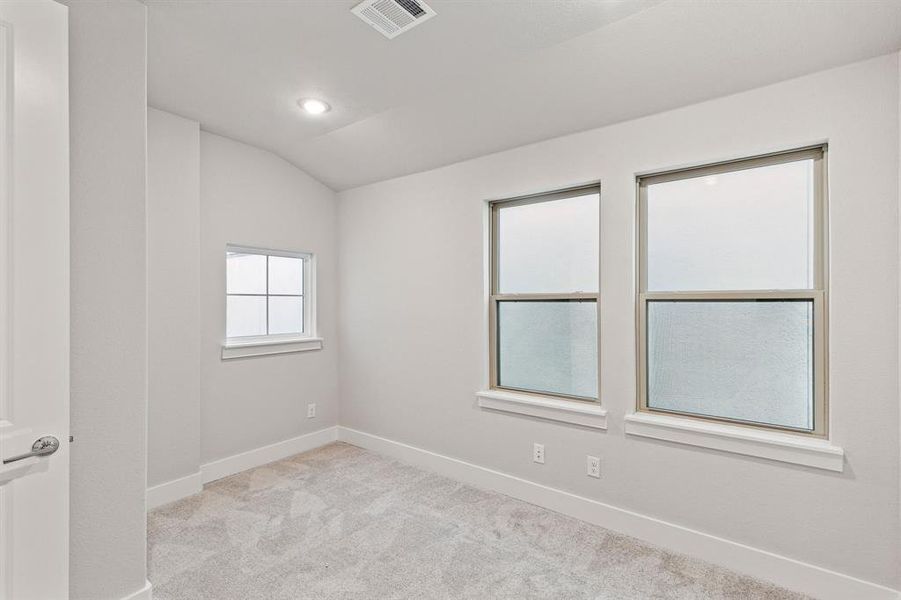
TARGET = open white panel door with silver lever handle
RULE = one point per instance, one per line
(34, 300)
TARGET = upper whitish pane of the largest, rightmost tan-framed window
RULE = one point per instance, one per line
(744, 230)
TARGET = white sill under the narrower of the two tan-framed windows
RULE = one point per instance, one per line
(587, 414)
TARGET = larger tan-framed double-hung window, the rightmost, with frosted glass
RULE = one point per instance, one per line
(731, 302)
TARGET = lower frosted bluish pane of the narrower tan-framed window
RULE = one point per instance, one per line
(548, 346)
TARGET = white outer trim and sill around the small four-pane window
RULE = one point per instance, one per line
(264, 345)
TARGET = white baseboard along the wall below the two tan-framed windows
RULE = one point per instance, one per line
(786, 572)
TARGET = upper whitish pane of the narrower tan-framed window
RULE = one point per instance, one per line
(549, 246)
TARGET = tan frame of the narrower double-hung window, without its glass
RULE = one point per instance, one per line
(495, 297)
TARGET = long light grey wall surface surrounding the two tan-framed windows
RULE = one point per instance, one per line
(413, 320)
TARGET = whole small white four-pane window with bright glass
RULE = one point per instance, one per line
(268, 301)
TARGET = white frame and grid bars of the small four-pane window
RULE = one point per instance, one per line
(307, 295)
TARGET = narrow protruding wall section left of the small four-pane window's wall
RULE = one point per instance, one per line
(173, 289)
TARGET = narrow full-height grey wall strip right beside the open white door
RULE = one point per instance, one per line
(108, 99)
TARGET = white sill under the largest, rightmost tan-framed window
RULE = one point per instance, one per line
(784, 447)
